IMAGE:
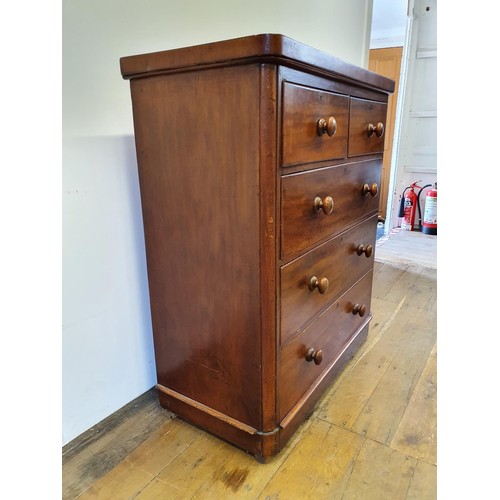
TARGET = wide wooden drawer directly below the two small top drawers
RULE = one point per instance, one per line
(304, 222)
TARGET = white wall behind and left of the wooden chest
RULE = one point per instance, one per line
(107, 345)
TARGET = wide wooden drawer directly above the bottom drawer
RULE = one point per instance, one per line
(335, 264)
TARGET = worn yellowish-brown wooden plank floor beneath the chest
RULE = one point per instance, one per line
(372, 436)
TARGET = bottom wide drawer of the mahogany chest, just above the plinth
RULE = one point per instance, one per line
(327, 337)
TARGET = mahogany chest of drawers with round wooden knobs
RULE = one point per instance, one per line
(259, 164)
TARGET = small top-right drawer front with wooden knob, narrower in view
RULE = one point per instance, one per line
(367, 122)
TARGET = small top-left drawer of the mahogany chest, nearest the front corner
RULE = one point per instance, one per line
(305, 139)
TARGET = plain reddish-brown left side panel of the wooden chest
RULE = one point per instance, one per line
(197, 139)
